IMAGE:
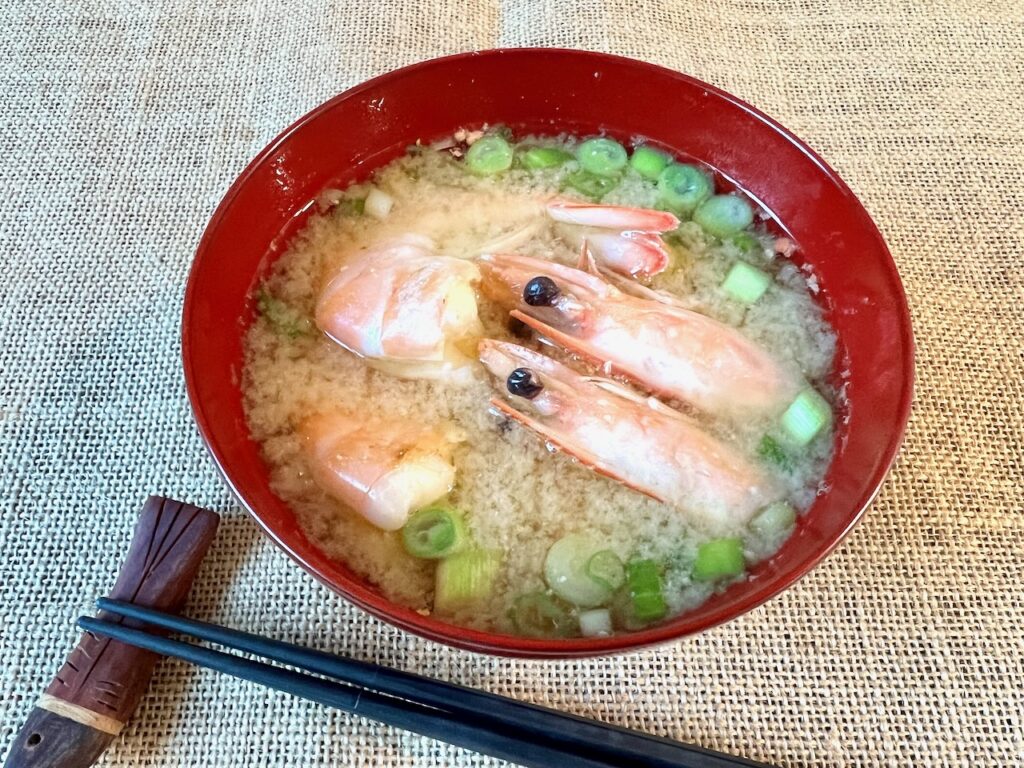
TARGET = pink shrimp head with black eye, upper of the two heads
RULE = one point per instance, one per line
(673, 352)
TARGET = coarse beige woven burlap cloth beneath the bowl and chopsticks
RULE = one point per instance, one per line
(123, 123)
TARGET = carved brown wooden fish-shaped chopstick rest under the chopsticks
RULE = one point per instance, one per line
(103, 681)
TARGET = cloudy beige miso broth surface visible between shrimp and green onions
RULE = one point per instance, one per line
(519, 496)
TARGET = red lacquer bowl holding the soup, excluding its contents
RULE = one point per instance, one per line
(550, 92)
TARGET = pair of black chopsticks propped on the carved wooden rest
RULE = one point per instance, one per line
(520, 733)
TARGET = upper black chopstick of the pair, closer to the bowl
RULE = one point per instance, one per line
(583, 737)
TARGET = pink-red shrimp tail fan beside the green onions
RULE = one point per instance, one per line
(625, 240)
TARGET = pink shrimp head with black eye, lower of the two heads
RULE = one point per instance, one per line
(638, 442)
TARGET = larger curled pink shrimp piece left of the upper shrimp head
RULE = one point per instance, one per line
(405, 310)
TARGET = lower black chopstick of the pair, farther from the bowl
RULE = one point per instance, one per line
(410, 716)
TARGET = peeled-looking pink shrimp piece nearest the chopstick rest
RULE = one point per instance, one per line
(382, 470)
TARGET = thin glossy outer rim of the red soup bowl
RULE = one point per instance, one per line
(514, 646)
